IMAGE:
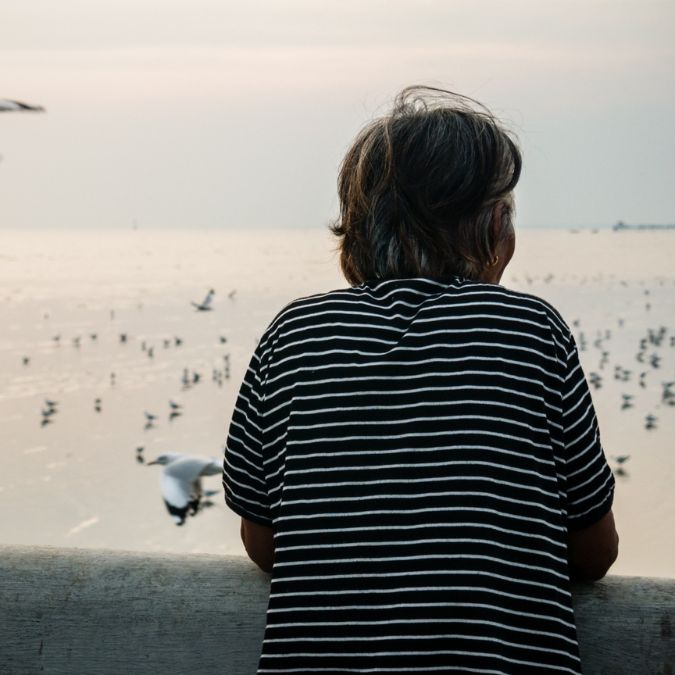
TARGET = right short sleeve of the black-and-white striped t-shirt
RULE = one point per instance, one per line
(589, 480)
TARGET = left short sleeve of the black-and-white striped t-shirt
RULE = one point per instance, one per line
(243, 472)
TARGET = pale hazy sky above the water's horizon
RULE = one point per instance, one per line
(210, 113)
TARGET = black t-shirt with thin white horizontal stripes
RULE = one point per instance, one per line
(420, 449)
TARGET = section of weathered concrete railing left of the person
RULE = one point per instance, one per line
(72, 611)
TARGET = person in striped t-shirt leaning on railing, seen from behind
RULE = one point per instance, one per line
(415, 457)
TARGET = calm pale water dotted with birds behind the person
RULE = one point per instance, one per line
(66, 297)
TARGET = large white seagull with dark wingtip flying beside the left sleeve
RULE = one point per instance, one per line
(181, 483)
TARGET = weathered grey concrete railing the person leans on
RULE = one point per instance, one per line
(75, 611)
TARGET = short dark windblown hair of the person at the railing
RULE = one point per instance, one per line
(418, 189)
